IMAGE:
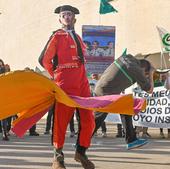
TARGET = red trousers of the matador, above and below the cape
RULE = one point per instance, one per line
(75, 83)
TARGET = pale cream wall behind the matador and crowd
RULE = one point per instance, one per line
(25, 26)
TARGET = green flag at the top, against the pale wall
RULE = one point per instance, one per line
(105, 7)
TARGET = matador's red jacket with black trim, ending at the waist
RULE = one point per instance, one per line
(62, 46)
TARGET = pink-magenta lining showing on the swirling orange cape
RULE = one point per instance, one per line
(21, 127)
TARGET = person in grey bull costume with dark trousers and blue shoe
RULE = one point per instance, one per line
(124, 72)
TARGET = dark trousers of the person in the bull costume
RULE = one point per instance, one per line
(130, 134)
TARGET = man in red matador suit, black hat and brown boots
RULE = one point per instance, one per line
(67, 69)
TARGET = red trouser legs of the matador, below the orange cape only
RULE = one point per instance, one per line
(62, 117)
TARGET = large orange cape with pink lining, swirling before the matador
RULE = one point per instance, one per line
(30, 95)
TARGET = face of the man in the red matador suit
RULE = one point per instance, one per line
(67, 18)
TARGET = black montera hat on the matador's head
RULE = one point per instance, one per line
(66, 8)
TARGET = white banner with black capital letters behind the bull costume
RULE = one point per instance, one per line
(157, 112)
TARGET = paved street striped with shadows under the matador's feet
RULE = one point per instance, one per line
(36, 152)
